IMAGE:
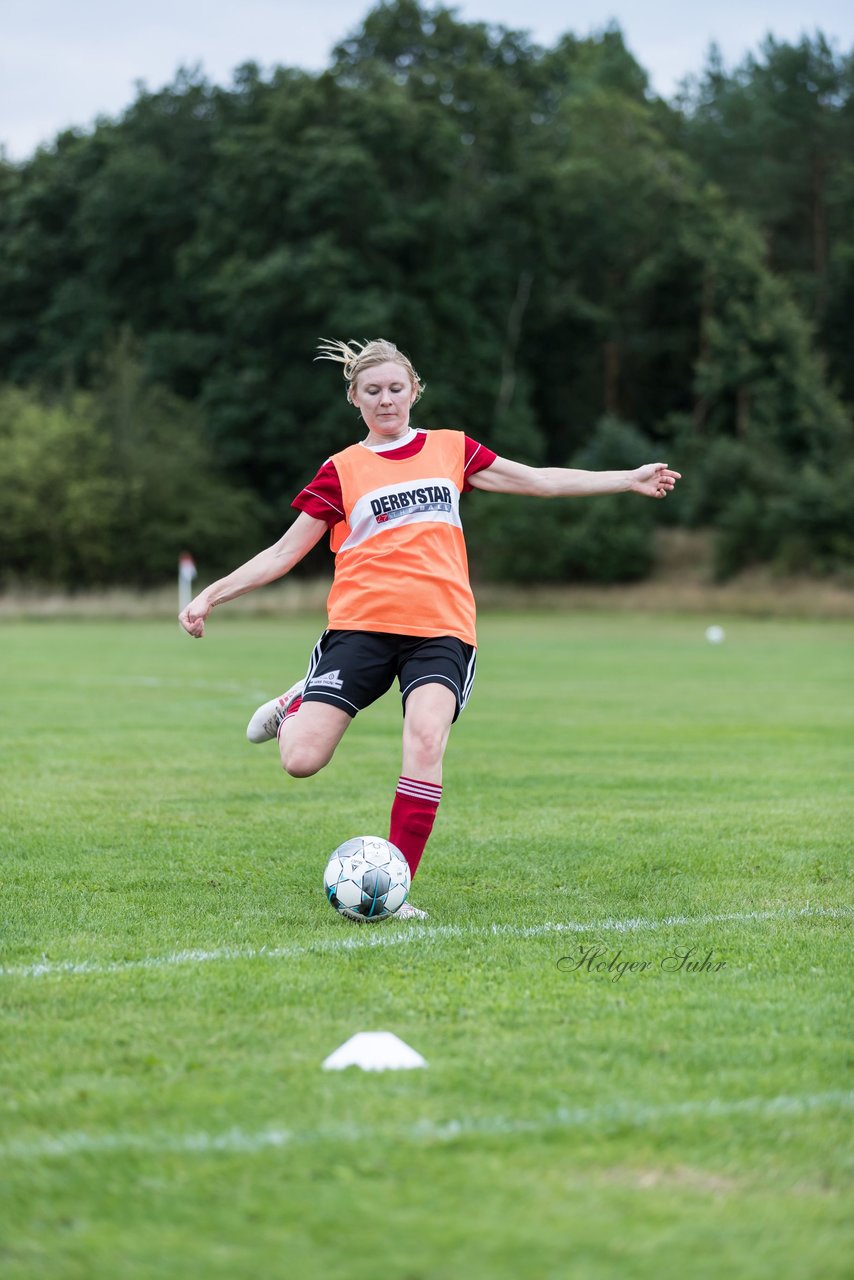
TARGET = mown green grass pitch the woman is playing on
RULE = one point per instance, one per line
(171, 977)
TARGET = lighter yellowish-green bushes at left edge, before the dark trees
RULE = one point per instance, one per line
(111, 487)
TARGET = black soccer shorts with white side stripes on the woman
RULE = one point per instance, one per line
(353, 669)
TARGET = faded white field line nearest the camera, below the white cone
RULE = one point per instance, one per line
(238, 1141)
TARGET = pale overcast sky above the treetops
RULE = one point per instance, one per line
(66, 62)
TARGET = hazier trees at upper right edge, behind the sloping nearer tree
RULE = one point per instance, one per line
(778, 135)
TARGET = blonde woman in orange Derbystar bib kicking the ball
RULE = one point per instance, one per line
(401, 605)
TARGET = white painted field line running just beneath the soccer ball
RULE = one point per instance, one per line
(389, 935)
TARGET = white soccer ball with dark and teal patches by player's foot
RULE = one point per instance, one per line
(367, 879)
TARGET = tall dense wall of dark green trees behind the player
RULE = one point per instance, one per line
(558, 250)
